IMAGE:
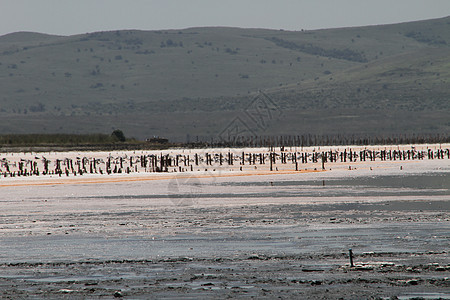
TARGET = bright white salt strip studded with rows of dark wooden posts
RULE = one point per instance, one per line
(47, 168)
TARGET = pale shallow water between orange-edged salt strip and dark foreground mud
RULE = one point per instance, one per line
(140, 221)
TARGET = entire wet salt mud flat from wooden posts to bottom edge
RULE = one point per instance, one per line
(226, 232)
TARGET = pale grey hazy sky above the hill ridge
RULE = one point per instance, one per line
(66, 17)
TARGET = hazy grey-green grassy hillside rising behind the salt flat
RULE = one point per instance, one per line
(196, 82)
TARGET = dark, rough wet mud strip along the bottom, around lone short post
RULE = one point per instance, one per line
(254, 276)
